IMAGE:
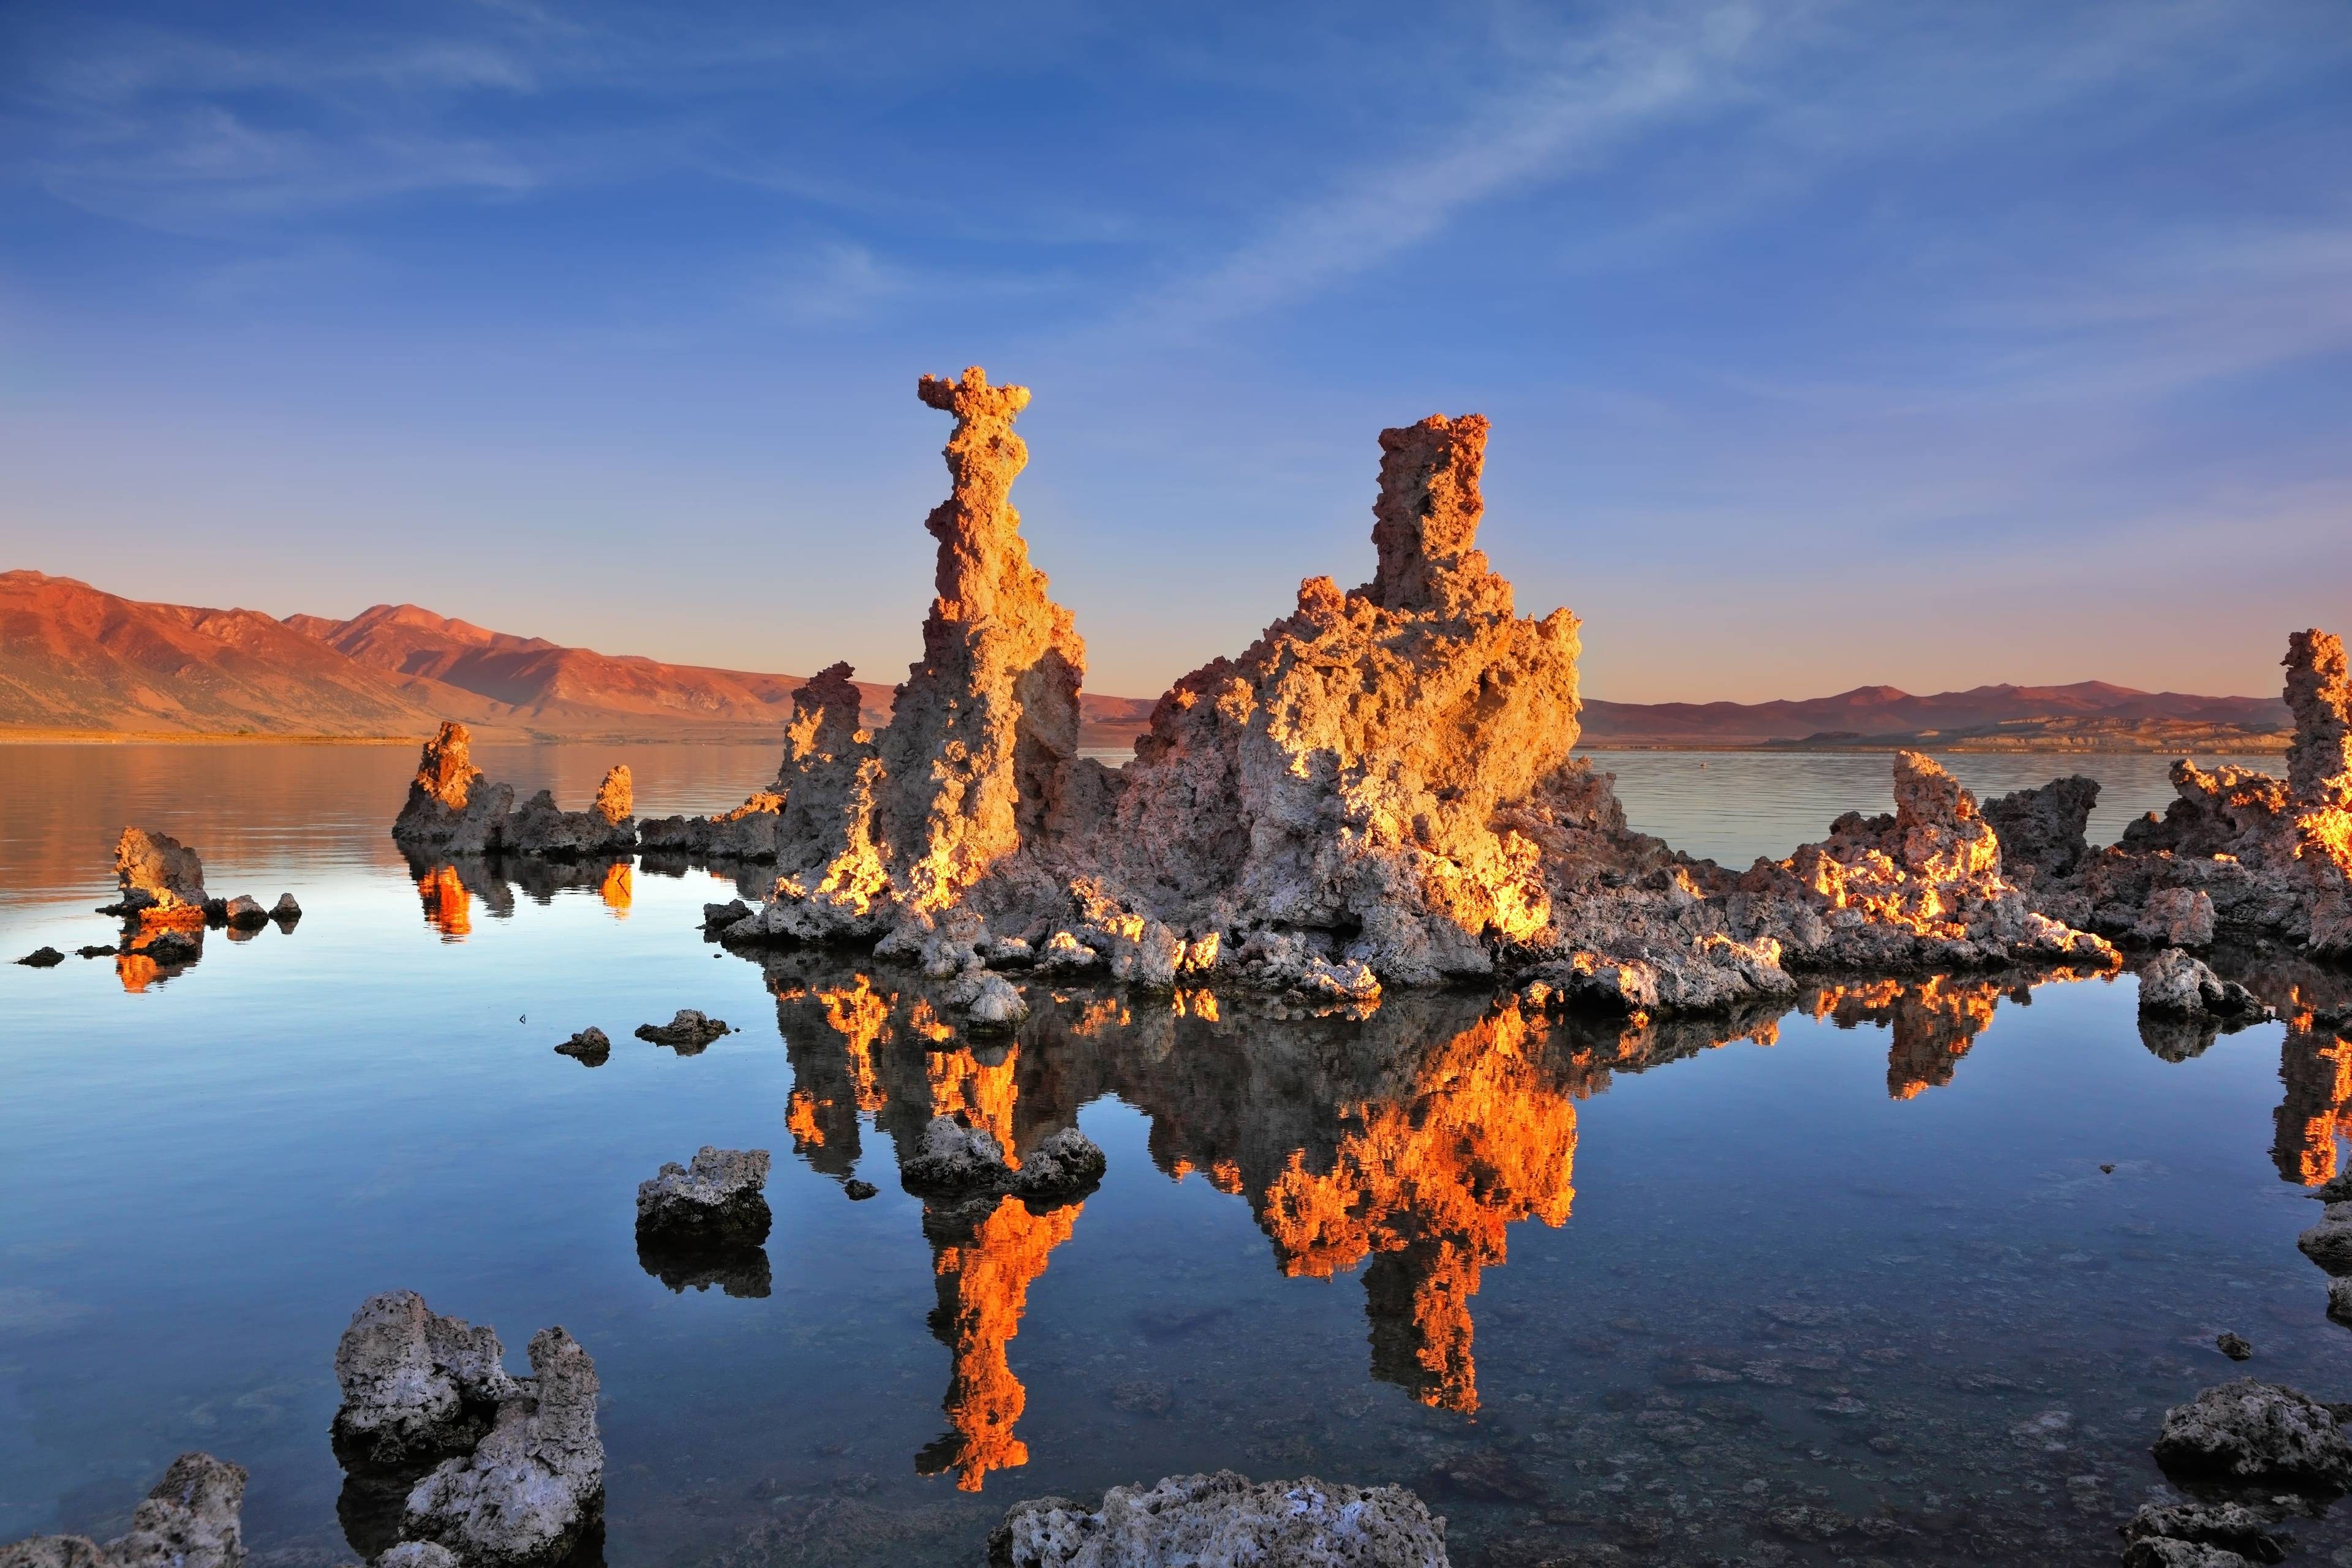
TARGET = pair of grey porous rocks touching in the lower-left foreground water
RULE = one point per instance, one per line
(455, 1452)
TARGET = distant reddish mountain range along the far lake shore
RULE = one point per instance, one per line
(83, 662)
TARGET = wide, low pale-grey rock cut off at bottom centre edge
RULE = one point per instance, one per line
(1224, 1522)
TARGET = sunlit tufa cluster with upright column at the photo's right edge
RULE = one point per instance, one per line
(2240, 855)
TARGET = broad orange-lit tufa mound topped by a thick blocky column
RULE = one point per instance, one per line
(1396, 721)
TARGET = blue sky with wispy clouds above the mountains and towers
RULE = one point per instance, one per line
(1826, 342)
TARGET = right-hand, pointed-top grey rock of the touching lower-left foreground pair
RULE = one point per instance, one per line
(535, 1485)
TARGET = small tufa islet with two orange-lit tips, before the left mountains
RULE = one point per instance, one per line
(453, 810)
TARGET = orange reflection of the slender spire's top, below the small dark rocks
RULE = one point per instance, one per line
(982, 1296)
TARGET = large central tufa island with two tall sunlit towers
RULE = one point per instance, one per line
(1375, 793)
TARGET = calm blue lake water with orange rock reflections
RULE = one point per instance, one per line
(1906, 1273)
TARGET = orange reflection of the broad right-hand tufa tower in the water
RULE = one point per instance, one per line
(1431, 1186)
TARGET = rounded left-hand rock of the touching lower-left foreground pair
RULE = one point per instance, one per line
(415, 1383)
